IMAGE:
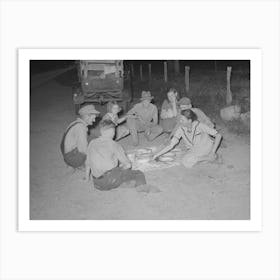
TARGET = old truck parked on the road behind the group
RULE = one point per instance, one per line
(101, 81)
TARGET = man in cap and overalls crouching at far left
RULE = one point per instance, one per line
(74, 141)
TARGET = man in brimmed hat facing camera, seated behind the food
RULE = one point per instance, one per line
(143, 117)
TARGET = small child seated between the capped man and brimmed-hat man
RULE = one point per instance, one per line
(113, 110)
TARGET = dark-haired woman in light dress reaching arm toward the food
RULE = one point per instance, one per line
(197, 138)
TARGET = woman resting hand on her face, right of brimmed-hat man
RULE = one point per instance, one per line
(169, 111)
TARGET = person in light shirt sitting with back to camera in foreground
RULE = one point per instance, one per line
(108, 165)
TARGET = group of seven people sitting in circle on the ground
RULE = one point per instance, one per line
(104, 158)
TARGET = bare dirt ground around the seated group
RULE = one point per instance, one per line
(208, 191)
